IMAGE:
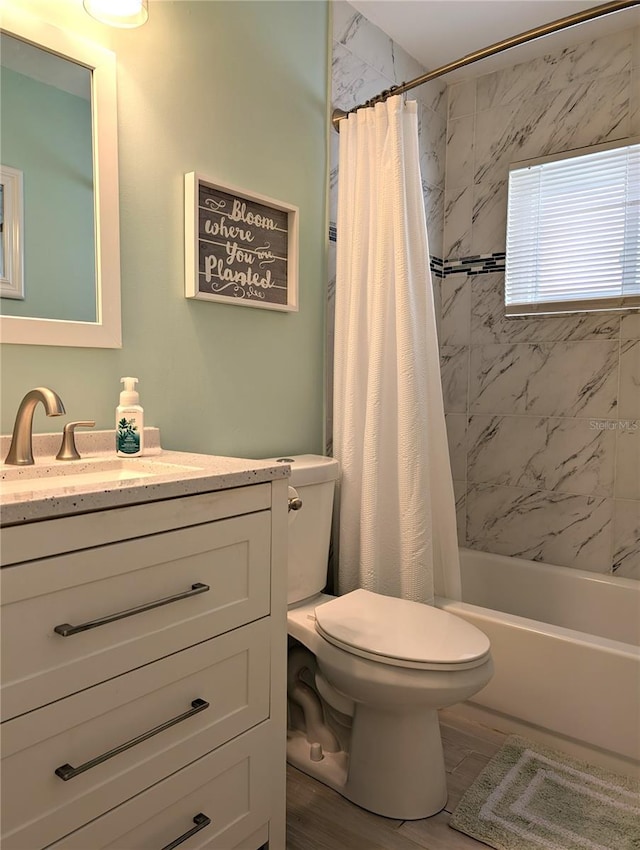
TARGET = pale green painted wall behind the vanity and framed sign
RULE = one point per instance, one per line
(237, 91)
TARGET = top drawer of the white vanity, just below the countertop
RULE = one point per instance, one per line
(230, 558)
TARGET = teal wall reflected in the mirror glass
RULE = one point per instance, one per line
(57, 175)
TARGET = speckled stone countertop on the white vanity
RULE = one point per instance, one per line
(92, 485)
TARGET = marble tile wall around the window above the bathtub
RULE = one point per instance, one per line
(543, 413)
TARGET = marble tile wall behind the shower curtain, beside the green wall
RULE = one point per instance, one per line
(366, 62)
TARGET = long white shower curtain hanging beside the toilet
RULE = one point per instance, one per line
(397, 513)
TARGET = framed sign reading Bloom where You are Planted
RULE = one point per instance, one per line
(240, 248)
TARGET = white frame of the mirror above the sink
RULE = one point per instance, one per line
(106, 331)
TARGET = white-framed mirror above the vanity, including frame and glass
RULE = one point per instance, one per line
(59, 247)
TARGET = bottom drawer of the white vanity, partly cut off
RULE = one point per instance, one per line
(230, 786)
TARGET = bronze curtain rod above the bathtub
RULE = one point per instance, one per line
(492, 50)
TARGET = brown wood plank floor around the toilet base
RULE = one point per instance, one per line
(318, 818)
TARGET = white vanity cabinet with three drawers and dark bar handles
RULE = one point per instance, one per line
(144, 675)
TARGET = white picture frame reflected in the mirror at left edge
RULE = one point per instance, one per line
(11, 233)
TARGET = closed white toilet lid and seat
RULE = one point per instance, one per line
(401, 632)
